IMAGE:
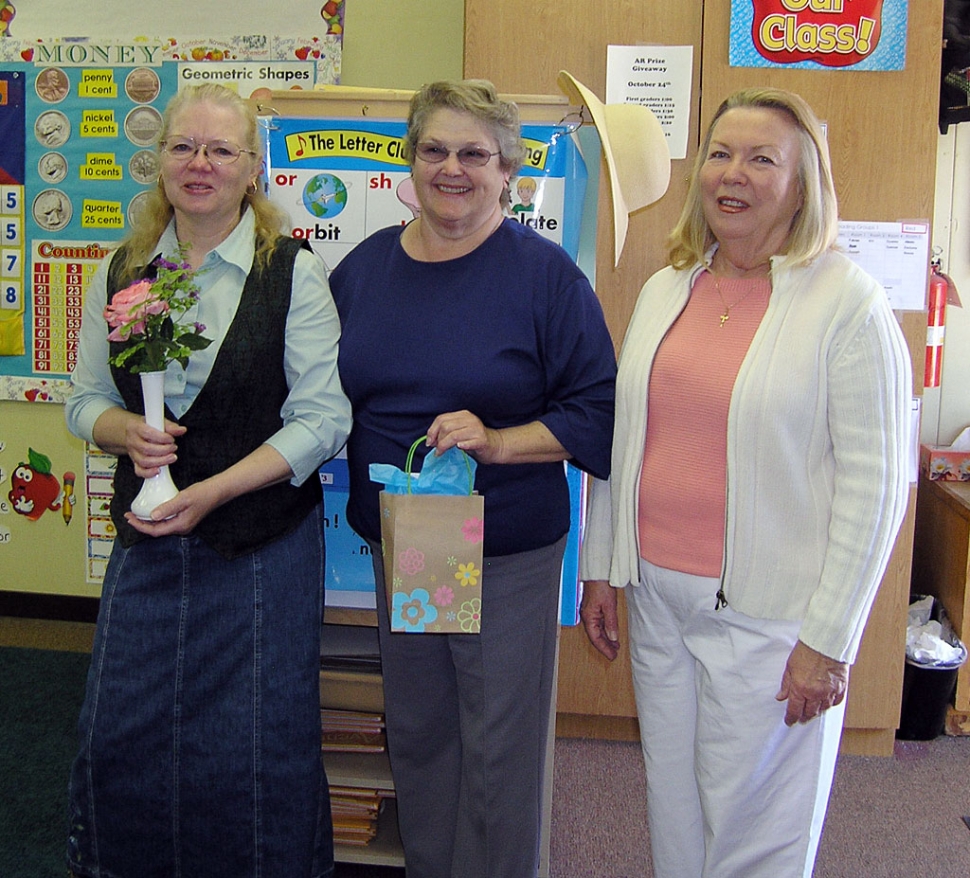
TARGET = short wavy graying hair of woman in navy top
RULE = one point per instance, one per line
(478, 98)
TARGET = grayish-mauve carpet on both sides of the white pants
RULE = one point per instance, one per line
(898, 817)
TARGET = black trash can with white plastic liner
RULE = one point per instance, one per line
(934, 655)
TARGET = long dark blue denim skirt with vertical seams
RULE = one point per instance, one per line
(199, 738)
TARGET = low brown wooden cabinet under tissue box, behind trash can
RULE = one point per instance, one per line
(941, 567)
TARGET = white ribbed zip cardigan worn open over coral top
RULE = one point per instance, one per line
(818, 428)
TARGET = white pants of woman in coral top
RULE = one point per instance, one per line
(732, 792)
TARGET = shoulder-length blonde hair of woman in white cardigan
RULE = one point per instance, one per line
(814, 227)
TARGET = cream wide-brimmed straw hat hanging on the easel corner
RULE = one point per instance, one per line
(637, 156)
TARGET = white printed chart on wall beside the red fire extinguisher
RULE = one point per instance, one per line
(896, 254)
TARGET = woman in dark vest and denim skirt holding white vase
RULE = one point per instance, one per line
(199, 748)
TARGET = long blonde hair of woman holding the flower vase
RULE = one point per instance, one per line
(157, 212)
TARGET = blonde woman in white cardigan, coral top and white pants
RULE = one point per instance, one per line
(755, 509)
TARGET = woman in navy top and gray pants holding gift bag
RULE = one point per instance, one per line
(473, 329)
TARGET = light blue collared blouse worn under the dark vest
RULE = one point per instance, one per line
(316, 414)
